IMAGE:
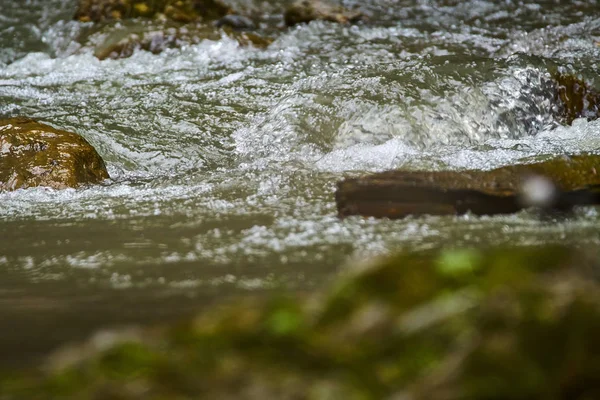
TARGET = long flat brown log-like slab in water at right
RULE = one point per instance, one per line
(569, 181)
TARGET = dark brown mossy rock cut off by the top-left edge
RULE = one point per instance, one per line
(176, 10)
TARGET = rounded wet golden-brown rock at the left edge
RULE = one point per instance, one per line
(35, 154)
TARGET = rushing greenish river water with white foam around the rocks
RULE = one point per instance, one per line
(223, 158)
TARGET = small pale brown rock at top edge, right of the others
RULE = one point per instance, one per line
(304, 11)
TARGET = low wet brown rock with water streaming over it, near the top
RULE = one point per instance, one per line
(155, 38)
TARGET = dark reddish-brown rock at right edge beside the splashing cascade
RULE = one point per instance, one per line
(576, 98)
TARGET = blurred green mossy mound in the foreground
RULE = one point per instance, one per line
(518, 323)
